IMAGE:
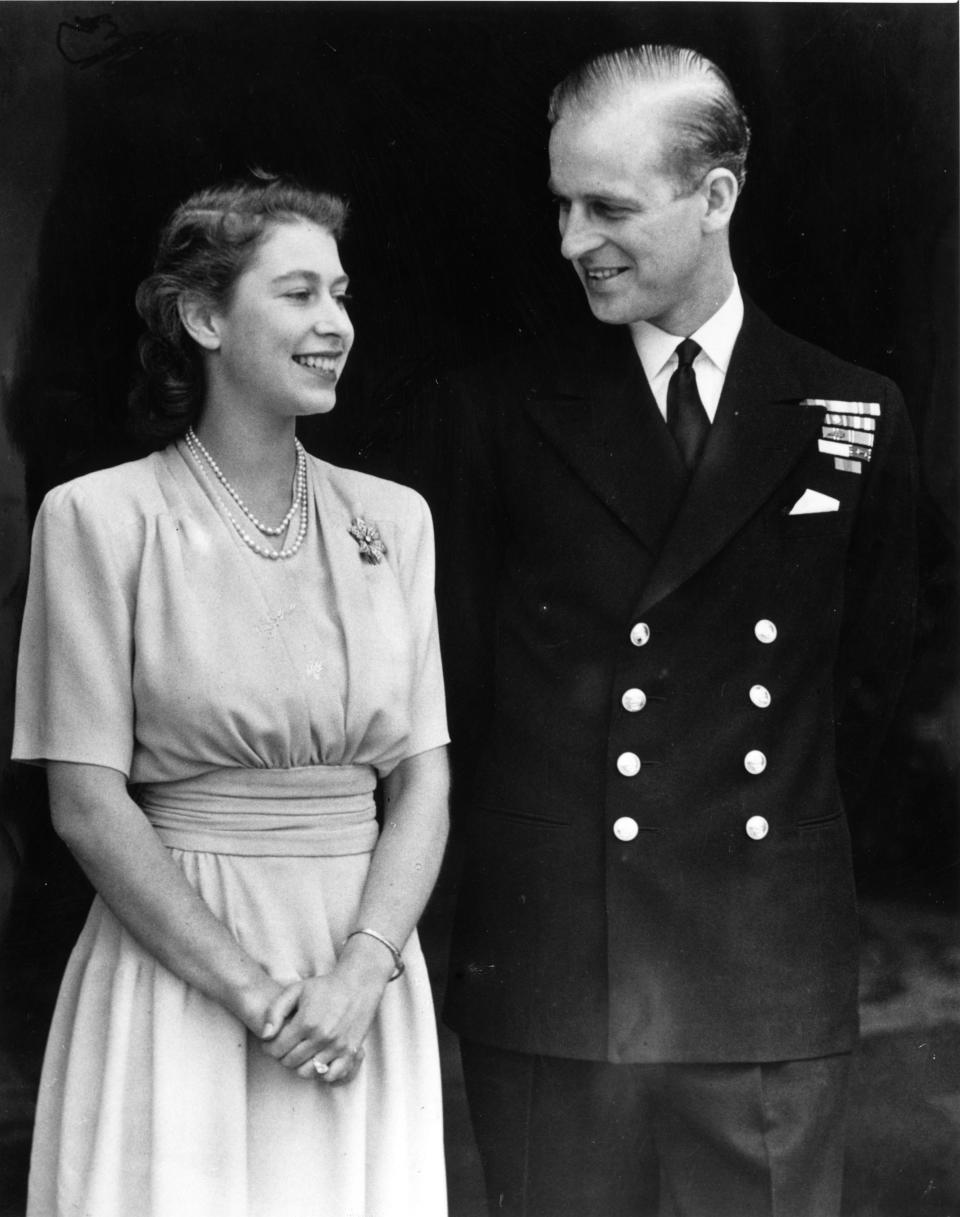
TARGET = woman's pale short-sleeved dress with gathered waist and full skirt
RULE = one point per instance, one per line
(252, 705)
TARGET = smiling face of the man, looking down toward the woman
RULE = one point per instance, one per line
(637, 248)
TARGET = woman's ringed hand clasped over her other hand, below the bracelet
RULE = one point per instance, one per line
(324, 1020)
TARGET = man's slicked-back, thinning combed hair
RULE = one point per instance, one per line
(710, 130)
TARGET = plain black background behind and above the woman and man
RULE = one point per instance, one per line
(431, 119)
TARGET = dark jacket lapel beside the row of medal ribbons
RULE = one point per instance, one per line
(760, 434)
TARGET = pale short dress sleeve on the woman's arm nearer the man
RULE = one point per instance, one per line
(428, 704)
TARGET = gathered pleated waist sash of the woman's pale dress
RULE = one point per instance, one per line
(307, 812)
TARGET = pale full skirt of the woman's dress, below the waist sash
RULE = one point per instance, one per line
(155, 1102)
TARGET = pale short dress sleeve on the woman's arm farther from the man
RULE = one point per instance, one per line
(75, 686)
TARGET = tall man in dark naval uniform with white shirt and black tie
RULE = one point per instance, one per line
(699, 532)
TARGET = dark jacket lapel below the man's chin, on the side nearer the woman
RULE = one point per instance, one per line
(602, 417)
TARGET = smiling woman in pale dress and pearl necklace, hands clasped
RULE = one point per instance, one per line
(226, 646)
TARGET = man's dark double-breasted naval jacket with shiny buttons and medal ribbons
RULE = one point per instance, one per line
(672, 694)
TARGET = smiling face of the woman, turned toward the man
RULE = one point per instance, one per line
(282, 343)
